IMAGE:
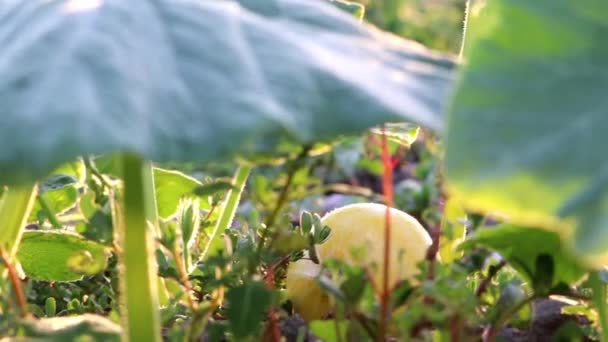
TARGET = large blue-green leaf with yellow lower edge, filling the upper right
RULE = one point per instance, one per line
(527, 128)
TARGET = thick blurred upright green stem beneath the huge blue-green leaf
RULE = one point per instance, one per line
(139, 285)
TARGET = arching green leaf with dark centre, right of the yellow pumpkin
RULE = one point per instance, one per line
(521, 248)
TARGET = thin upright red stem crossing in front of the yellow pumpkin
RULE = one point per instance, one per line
(387, 189)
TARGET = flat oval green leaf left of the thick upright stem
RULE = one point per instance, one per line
(54, 256)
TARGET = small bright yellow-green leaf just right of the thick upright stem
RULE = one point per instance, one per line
(171, 186)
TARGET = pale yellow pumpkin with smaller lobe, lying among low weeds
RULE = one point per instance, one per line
(357, 238)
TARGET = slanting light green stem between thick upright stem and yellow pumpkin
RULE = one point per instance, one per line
(227, 211)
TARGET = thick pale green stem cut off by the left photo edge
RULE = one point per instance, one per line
(15, 208)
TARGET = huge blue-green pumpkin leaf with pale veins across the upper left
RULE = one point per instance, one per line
(191, 79)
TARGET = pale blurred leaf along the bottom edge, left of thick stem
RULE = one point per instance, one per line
(87, 327)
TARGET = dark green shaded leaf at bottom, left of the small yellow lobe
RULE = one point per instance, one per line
(248, 303)
